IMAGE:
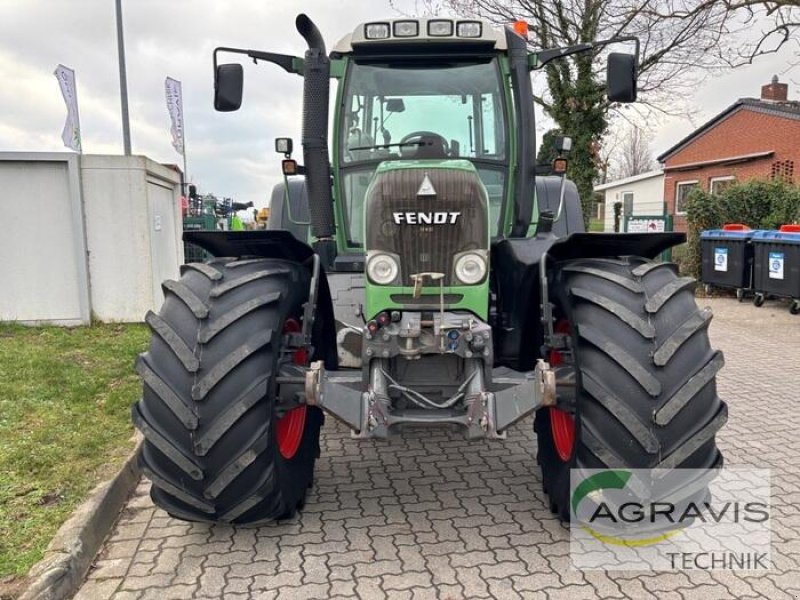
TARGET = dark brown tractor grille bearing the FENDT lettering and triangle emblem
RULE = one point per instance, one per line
(397, 219)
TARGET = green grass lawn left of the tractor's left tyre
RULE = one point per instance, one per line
(65, 397)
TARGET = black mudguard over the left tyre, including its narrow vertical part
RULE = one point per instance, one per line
(277, 243)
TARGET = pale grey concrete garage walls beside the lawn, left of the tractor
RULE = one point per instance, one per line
(86, 236)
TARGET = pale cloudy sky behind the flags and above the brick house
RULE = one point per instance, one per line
(229, 154)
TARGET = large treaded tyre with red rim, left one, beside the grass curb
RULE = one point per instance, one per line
(218, 444)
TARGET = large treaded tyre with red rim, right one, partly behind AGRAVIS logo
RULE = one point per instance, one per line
(646, 375)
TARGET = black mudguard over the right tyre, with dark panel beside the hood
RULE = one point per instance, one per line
(515, 281)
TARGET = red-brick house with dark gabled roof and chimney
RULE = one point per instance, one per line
(754, 138)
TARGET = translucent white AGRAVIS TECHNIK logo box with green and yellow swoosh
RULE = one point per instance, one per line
(670, 519)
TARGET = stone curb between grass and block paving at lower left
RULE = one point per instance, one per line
(69, 555)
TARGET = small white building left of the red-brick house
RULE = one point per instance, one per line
(640, 195)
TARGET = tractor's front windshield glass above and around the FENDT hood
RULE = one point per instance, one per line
(414, 111)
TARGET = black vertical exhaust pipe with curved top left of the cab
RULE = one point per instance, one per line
(316, 92)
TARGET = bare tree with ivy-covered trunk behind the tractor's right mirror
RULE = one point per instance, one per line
(682, 41)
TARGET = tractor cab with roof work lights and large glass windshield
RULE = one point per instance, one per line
(421, 90)
